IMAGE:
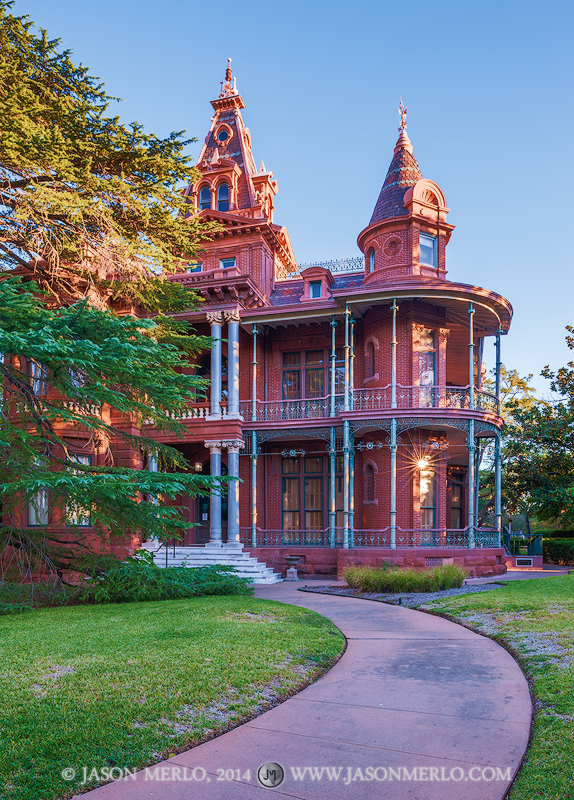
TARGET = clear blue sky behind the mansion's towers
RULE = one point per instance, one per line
(489, 94)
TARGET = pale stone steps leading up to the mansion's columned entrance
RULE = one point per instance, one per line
(232, 555)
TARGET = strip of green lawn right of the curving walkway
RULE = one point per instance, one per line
(535, 619)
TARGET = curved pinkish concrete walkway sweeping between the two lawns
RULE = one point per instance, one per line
(441, 706)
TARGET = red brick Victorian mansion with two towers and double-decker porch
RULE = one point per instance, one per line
(346, 395)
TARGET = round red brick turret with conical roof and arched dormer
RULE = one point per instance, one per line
(408, 232)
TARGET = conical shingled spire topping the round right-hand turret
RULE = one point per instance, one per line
(403, 172)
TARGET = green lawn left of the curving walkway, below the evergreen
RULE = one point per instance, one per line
(129, 684)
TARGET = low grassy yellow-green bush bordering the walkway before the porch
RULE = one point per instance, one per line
(395, 579)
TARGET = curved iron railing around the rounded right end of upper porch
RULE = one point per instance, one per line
(444, 397)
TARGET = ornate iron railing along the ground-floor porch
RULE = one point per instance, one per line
(444, 538)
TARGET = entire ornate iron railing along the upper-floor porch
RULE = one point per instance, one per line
(376, 399)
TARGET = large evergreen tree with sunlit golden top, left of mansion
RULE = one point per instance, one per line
(93, 219)
